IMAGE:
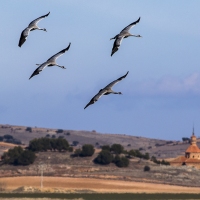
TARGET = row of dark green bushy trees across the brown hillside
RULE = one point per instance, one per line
(109, 154)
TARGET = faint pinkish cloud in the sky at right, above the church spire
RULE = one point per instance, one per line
(169, 85)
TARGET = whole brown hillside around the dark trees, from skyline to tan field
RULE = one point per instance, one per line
(61, 164)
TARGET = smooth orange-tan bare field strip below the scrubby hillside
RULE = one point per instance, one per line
(96, 185)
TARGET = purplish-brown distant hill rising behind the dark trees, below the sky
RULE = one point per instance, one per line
(156, 147)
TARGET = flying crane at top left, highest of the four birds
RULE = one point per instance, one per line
(31, 27)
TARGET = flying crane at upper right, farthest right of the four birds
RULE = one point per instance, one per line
(123, 34)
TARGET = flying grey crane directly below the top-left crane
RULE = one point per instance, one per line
(50, 62)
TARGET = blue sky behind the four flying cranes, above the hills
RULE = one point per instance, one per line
(161, 94)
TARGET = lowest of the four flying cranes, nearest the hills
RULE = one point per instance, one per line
(106, 90)
